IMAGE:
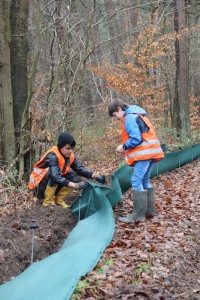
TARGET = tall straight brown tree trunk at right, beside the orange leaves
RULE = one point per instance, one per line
(181, 109)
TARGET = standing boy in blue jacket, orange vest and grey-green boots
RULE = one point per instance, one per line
(141, 149)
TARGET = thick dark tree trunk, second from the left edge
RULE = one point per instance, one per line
(19, 53)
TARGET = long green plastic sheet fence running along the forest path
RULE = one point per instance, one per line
(55, 277)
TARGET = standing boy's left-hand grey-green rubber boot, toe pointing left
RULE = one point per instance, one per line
(140, 207)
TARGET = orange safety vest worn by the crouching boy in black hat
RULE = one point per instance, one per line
(38, 173)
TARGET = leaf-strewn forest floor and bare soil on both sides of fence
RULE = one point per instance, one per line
(158, 259)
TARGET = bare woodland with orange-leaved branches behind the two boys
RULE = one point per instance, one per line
(62, 62)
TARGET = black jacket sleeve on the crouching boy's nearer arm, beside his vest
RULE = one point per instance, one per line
(55, 174)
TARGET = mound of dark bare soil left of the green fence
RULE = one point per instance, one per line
(17, 238)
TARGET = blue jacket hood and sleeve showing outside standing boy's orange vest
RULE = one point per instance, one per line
(134, 126)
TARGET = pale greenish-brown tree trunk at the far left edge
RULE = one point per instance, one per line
(7, 139)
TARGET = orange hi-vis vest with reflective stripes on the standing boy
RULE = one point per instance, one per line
(149, 148)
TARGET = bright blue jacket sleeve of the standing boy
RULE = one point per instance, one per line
(133, 131)
